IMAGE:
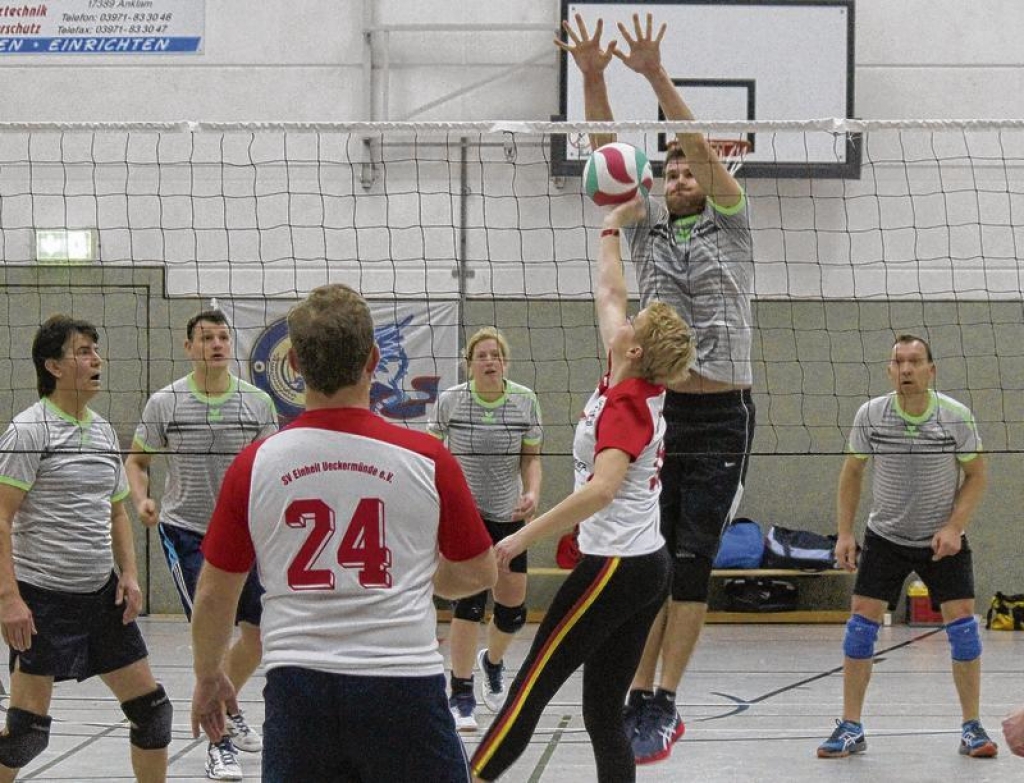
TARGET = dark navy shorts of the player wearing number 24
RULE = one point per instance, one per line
(326, 727)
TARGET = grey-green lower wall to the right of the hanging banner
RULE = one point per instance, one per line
(838, 350)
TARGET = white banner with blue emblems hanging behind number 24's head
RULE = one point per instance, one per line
(419, 343)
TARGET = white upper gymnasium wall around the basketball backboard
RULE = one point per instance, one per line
(268, 214)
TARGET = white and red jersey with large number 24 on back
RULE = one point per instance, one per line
(346, 515)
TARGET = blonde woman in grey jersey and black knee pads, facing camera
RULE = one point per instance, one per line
(493, 426)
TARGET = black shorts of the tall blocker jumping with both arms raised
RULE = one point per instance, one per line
(707, 450)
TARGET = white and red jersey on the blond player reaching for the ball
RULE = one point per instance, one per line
(627, 417)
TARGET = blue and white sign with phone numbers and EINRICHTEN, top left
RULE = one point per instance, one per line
(103, 27)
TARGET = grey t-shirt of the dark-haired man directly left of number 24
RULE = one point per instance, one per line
(201, 437)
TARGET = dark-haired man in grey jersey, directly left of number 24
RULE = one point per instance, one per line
(200, 423)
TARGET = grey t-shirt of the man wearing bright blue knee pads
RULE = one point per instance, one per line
(916, 473)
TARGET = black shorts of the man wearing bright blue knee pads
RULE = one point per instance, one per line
(884, 568)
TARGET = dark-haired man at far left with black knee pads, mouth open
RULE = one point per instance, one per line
(69, 583)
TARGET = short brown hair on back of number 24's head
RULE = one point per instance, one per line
(332, 333)
